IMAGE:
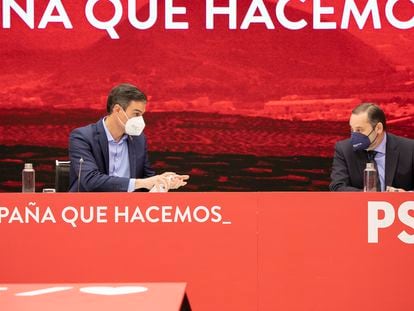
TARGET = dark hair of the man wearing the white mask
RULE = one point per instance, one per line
(122, 95)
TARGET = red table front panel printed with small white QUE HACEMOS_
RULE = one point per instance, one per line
(218, 261)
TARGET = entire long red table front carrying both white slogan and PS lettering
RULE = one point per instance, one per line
(236, 251)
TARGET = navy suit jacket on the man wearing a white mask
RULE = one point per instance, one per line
(91, 144)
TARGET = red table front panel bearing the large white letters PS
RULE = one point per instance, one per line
(314, 254)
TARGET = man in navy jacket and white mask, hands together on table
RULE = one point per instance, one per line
(111, 155)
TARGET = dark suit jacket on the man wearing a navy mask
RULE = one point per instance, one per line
(348, 165)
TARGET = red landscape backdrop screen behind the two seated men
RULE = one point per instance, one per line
(240, 110)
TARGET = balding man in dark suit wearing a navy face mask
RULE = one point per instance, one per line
(393, 155)
